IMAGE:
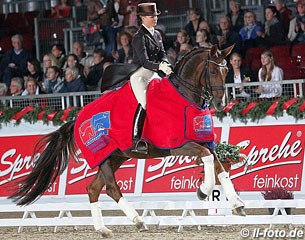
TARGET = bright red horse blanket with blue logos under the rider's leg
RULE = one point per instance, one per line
(172, 120)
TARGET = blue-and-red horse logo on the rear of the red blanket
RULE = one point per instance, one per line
(94, 132)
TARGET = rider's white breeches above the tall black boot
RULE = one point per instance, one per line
(139, 81)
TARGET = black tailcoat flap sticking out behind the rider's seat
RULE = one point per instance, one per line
(117, 74)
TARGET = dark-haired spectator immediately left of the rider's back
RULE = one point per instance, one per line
(124, 54)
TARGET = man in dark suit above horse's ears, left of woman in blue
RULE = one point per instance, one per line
(227, 37)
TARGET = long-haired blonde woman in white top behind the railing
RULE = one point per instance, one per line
(269, 72)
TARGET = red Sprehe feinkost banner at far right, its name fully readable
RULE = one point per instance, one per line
(275, 157)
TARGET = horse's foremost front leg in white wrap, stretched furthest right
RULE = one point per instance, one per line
(238, 205)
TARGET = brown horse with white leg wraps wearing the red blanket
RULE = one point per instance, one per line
(199, 77)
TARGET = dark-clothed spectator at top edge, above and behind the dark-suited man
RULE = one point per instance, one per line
(236, 15)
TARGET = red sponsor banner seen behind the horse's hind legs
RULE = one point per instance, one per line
(80, 175)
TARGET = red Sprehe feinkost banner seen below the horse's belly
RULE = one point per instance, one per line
(173, 173)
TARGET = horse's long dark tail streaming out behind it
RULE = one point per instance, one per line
(56, 148)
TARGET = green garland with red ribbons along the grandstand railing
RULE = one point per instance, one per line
(257, 113)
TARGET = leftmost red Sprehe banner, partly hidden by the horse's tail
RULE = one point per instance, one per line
(16, 162)
